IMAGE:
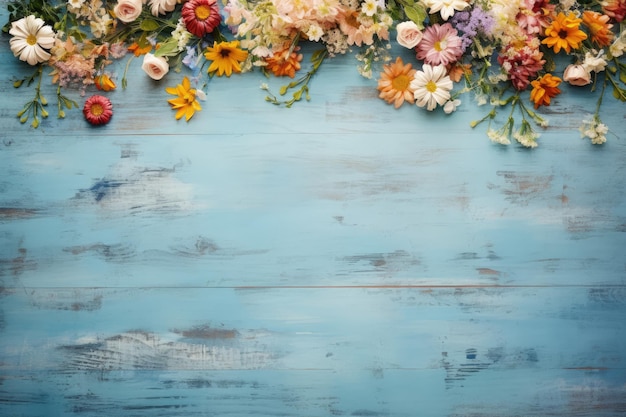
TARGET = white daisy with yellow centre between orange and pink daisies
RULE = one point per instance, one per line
(431, 86)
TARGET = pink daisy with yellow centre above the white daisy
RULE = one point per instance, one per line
(440, 45)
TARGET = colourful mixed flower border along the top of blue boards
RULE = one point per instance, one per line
(507, 54)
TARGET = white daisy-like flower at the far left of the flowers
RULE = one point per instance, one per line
(31, 38)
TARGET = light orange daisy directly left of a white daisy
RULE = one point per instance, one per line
(395, 83)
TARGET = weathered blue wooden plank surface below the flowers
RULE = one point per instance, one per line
(336, 258)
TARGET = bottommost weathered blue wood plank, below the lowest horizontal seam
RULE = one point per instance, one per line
(389, 351)
